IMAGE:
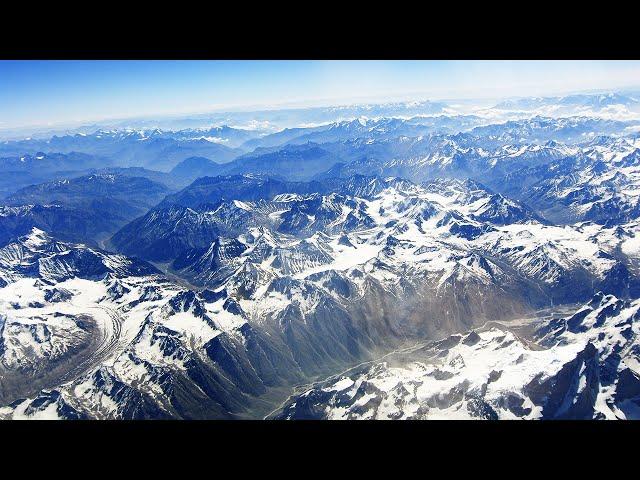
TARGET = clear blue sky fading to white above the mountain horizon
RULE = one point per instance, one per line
(57, 92)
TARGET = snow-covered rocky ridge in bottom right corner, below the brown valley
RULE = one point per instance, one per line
(565, 362)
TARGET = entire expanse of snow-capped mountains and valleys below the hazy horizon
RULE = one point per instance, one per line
(432, 265)
